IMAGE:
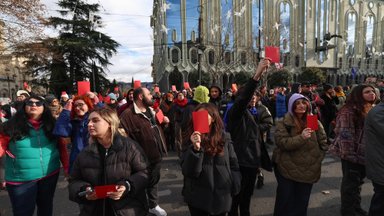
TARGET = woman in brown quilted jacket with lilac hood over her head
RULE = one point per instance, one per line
(298, 155)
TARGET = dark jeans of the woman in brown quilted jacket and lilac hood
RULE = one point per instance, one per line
(292, 197)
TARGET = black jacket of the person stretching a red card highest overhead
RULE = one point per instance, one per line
(245, 131)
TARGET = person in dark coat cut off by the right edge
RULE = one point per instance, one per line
(374, 155)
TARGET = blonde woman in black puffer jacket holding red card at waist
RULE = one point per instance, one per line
(109, 159)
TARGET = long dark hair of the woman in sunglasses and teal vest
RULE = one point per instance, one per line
(17, 127)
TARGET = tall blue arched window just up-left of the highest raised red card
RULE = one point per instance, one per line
(257, 24)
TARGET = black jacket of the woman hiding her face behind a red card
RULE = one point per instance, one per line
(207, 180)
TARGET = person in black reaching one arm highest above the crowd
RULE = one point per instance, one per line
(245, 133)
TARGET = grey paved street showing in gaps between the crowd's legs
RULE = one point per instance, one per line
(262, 204)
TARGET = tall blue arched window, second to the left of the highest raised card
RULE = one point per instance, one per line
(227, 24)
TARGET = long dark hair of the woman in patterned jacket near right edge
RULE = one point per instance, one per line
(356, 102)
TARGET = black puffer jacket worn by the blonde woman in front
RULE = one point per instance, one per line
(124, 161)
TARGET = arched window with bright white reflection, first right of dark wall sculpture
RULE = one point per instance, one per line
(351, 34)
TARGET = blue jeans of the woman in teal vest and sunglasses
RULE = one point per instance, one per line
(26, 196)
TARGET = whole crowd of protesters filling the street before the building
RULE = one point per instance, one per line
(120, 140)
